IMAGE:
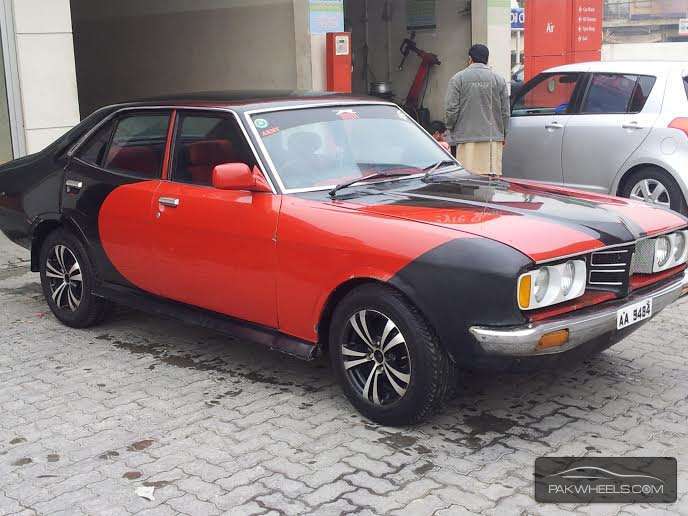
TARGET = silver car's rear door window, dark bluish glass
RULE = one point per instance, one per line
(611, 93)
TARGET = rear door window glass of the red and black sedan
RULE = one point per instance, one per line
(138, 145)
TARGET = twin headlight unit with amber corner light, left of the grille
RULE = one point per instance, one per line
(551, 285)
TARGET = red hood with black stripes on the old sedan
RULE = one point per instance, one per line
(541, 221)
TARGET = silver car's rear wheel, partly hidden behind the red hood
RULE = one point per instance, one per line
(655, 181)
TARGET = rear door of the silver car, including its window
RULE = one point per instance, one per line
(616, 114)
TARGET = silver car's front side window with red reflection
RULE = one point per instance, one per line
(550, 94)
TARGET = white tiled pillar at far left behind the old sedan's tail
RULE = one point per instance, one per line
(47, 75)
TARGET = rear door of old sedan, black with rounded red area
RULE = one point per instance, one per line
(109, 185)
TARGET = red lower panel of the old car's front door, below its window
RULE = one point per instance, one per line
(216, 250)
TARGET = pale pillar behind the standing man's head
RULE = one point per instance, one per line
(491, 26)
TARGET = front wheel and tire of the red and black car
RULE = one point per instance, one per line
(387, 358)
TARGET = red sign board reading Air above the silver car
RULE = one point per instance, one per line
(559, 32)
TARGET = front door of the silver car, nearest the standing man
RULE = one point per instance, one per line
(539, 116)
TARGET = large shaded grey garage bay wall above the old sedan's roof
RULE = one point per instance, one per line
(132, 49)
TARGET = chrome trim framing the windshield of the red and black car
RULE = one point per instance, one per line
(249, 113)
